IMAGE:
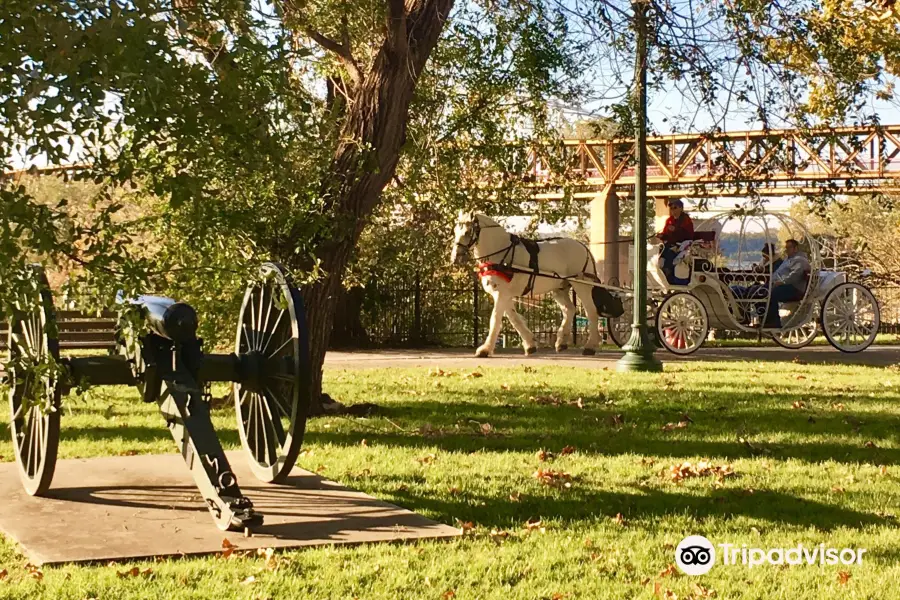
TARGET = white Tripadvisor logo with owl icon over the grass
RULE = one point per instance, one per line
(696, 555)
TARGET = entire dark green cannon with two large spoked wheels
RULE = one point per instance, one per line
(158, 351)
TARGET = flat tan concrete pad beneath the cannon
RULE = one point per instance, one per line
(121, 508)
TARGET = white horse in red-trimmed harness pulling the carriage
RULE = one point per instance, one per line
(496, 251)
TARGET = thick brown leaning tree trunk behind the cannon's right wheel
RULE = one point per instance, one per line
(372, 135)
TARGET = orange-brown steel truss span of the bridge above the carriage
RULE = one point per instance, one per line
(847, 160)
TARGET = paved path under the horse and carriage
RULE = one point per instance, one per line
(874, 356)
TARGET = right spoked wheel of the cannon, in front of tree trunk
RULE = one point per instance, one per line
(272, 410)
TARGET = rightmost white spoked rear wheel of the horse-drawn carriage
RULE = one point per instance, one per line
(850, 317)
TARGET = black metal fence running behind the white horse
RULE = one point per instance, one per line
(423, 313)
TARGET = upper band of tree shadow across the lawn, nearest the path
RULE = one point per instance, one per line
(611, 430)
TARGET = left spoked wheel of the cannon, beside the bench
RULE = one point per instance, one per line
(34, 393)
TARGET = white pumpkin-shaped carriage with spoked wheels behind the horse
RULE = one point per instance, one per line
(706, 288)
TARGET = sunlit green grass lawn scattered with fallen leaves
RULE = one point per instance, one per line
(814, 450)
